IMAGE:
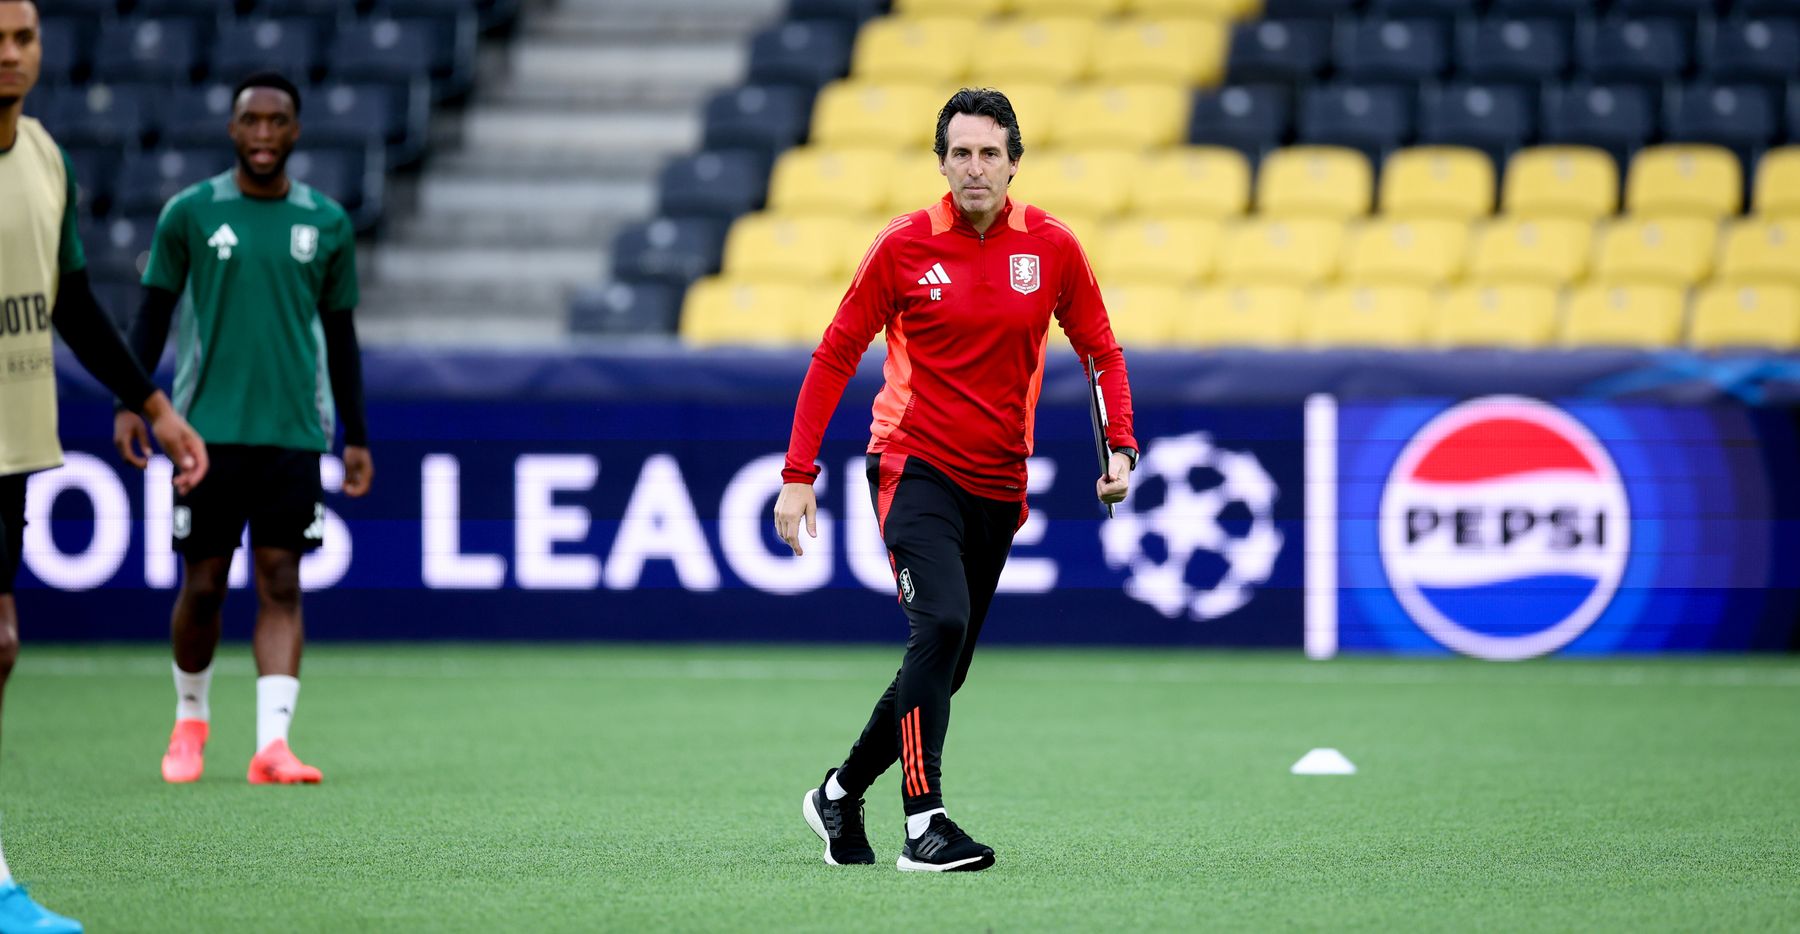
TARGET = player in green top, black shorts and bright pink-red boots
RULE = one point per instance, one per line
(265, 352)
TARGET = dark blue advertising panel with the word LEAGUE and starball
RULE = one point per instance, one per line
(651, 519)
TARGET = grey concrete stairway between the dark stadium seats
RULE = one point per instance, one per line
(559, 148)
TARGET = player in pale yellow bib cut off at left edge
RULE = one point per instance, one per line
(44, 287)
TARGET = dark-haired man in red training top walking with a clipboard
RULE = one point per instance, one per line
(966, 291)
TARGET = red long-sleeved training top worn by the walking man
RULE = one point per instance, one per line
(967, 325)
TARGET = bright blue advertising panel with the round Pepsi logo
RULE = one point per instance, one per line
(1511, 528)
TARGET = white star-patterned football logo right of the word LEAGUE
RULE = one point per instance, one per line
(1196, 532)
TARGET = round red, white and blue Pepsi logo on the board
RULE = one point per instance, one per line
(1506, 528)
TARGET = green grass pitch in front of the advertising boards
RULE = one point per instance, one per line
(658, 789)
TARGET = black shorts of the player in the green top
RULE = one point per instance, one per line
(276, 490)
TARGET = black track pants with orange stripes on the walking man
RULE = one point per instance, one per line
(948, 550)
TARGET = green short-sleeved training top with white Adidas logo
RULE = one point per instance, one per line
(251, 350)
